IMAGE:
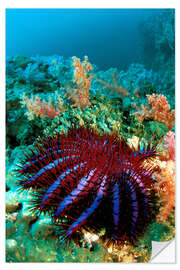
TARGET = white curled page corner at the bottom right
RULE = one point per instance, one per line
(163, 252)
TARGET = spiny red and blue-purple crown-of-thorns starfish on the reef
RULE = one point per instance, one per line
(84, 180)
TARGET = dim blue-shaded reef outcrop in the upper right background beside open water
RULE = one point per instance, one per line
(158, 33)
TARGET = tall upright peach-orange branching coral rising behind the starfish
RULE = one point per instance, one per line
(82, 78)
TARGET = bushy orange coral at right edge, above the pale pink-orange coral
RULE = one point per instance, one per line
(158, 109)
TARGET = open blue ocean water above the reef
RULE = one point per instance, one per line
(110, 37)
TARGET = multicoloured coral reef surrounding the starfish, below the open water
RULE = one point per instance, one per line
(45, 96)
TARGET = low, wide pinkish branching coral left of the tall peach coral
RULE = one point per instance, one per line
(37, 107)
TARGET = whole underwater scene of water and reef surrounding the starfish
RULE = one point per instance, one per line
(112, 70)
